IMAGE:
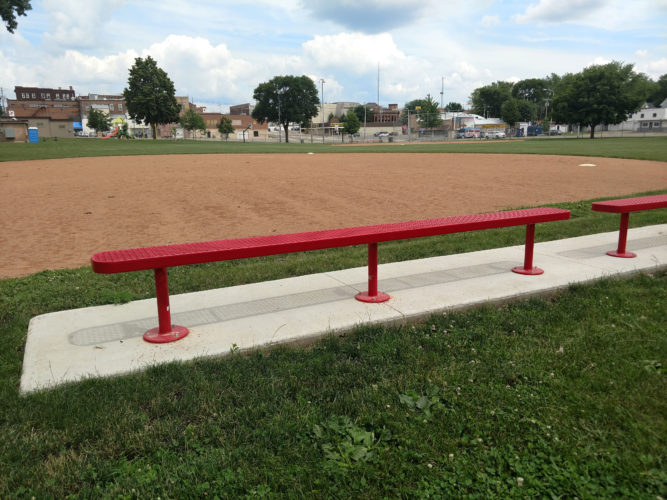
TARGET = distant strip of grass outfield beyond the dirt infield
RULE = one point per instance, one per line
(649, 148)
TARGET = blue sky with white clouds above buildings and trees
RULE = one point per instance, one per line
(217, 52)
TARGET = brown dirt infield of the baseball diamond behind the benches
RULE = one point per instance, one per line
(57, 213)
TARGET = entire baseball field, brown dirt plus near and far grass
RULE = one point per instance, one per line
(559, 396)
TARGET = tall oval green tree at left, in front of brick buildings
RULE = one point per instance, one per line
(150, 95)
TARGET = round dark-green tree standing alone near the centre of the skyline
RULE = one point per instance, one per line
(286, 99)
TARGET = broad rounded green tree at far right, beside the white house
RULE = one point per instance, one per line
(599, 94)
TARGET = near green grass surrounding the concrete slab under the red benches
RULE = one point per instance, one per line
(462, 404)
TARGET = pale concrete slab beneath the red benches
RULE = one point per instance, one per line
(103, 341)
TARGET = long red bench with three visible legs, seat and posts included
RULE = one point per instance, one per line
(159, 258)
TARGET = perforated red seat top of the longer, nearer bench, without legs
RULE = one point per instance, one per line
(117, 261)
